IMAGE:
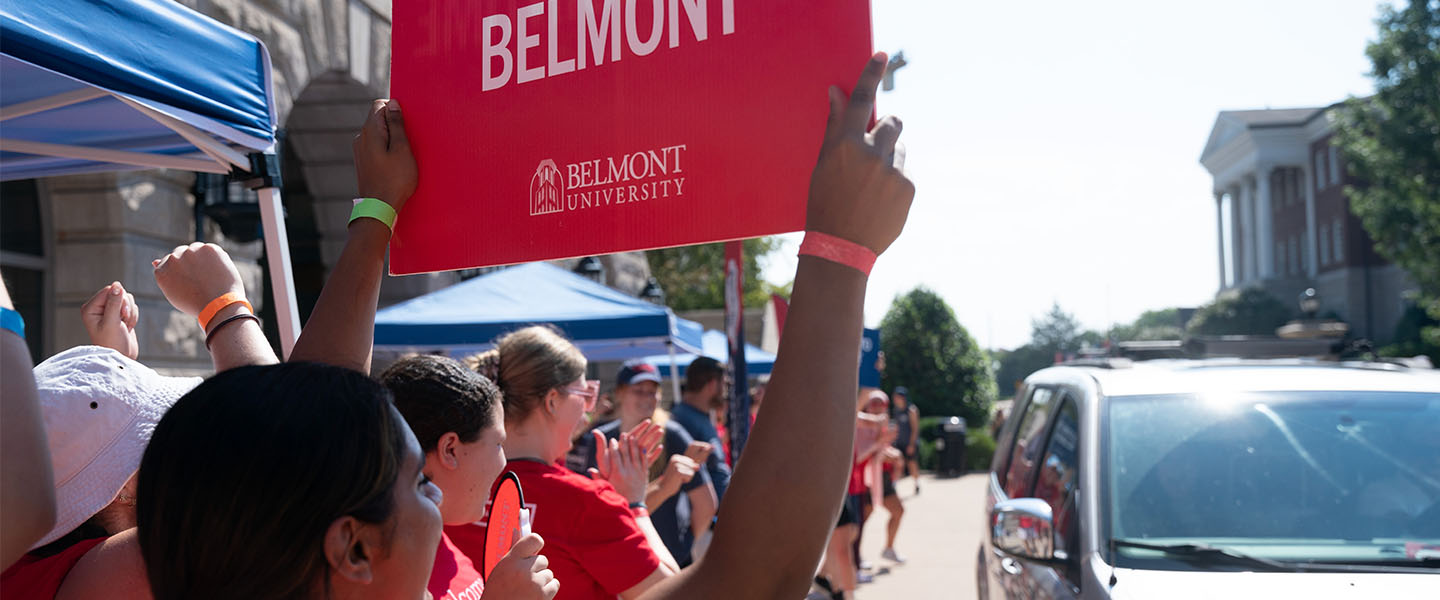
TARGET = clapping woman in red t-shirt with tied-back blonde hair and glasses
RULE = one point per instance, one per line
(600, 540)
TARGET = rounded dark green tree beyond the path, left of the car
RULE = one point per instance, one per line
(931, 353)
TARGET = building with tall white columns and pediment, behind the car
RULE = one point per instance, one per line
(1285, 222)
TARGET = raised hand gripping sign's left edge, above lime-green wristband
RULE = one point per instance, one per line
(385, 166)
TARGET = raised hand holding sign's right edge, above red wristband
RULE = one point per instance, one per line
(858, 191)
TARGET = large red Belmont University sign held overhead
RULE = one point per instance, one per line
(568, 129)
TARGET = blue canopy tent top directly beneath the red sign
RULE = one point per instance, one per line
(467, 317)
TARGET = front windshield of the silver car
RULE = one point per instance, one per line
(1300, 476)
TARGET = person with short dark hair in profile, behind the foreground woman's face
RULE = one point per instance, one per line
(459, 421)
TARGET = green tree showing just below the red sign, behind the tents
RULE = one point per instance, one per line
(693, 277)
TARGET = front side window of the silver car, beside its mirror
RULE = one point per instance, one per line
(1061, 477)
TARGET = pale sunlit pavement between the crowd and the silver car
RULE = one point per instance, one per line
(938, 537)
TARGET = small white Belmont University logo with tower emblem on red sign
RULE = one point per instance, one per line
(642, 176)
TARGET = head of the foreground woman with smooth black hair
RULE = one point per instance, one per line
(293, 481)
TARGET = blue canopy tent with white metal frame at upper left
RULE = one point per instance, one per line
(91, 87)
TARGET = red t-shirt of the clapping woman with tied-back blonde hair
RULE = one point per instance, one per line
(591, 539)
